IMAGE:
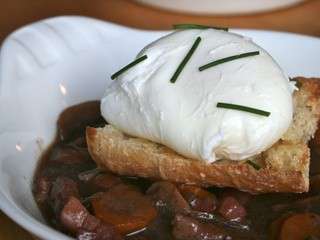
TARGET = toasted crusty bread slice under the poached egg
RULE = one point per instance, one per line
(282, 168)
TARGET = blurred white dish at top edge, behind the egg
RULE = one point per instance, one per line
(220, 6)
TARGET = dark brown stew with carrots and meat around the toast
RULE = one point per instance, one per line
(85, 202)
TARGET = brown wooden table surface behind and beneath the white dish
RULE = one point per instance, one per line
(303, 18)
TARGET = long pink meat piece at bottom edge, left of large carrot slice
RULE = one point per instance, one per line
(76, 219)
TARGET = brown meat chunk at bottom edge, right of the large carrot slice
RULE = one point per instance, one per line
(189, 228)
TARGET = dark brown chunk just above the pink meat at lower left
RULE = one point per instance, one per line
(62, 189)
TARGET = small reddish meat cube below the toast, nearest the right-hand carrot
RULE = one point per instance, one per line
(231, 209)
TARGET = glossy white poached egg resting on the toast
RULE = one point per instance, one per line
(184, 116)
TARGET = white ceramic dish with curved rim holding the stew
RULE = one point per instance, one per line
(50, 65)
